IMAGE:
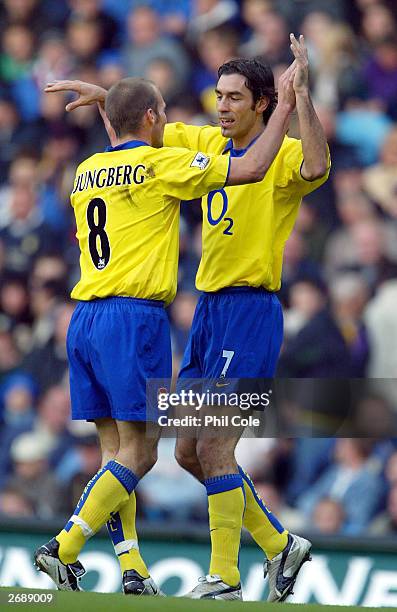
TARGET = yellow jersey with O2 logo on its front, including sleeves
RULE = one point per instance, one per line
(245, 227)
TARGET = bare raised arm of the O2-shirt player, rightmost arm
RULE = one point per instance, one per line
(314, 143)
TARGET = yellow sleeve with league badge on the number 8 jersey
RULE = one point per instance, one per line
(187, 175)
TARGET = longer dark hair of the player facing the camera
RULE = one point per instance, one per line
(259, 79)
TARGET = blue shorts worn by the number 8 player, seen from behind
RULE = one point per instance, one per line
(114, 344)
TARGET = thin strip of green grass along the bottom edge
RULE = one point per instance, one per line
(100, 602)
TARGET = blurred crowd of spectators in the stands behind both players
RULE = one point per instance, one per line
(340, 267)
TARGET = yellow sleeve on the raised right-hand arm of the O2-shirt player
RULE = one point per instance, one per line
(292, 160)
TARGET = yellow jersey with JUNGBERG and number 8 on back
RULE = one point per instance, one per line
(126, 204)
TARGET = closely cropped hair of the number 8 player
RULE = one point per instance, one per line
(127, 102)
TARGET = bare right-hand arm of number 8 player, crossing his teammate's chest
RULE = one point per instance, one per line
(252, 167)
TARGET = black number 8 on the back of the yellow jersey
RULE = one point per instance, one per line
(97, 233)
